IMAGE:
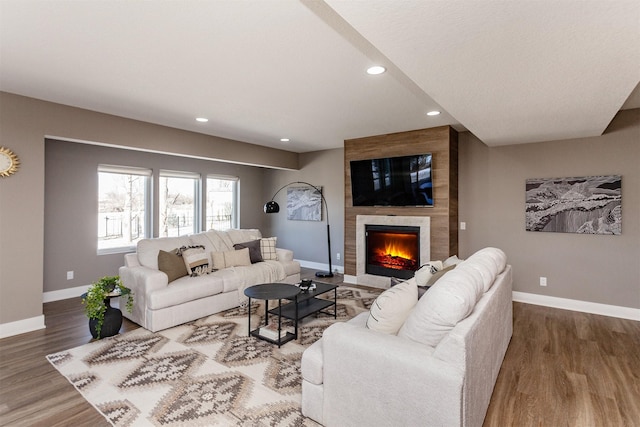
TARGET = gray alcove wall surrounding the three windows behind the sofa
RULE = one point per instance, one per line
(71, 183)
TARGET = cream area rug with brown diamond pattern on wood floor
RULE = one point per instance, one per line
(203, 373)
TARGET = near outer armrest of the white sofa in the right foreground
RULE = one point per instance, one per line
(372, 378)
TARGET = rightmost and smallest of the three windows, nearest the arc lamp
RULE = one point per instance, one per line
(221, 203)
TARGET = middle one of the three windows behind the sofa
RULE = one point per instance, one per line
(178, 203)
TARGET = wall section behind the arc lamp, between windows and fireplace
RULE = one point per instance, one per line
(308, 239)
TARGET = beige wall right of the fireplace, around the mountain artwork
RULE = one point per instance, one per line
(593, 268)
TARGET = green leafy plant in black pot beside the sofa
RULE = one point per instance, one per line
(104, 320)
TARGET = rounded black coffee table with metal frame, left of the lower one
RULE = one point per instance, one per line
(274, 291)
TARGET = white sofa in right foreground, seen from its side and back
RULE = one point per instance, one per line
(436, 371)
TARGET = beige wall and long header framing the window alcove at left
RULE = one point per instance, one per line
(24, 123)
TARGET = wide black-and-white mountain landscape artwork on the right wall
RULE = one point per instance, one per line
(586, 205)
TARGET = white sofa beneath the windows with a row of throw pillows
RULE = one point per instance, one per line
(160, 304)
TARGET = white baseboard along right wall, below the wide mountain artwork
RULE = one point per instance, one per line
(576, 305)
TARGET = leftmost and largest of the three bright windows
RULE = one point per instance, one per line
(123, 207)
